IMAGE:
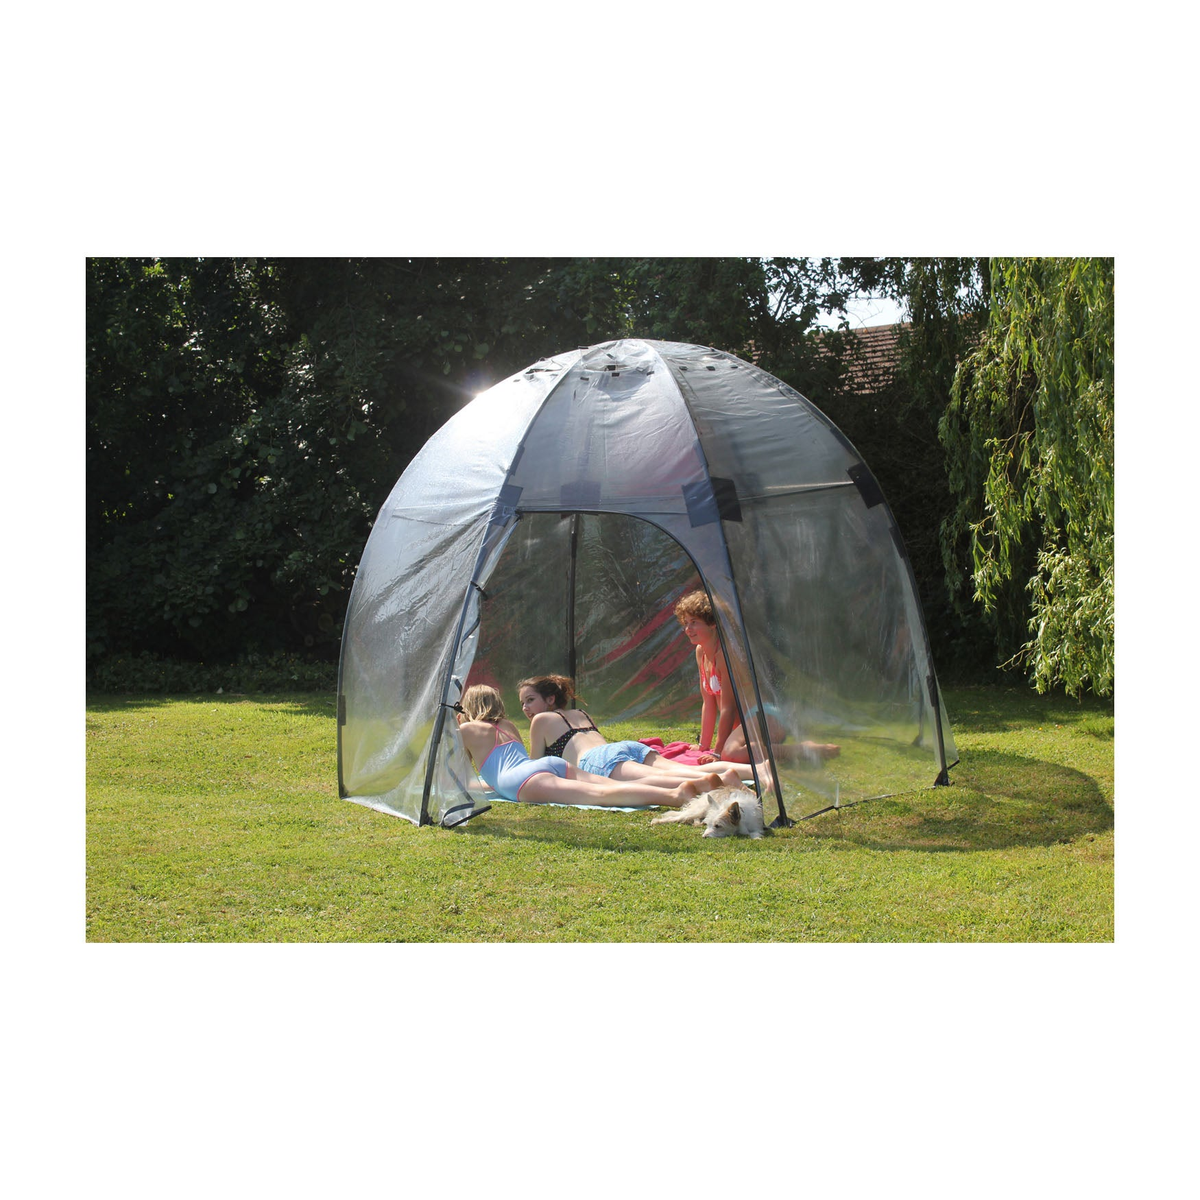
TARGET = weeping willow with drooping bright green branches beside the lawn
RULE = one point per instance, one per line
(1029, 436)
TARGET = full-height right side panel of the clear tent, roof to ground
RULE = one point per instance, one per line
(831, 619)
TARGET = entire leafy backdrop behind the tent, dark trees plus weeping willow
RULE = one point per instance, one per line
(247, 419)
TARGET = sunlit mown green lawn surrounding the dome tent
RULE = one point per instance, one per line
(218, 819)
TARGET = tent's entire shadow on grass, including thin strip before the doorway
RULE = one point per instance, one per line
(998, 802)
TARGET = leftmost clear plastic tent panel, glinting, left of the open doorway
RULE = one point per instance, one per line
(406, 609)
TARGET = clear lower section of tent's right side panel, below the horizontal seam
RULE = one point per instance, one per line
(835, 658)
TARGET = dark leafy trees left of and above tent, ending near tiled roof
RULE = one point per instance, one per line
(247, 418)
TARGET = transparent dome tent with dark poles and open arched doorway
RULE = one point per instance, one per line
(553, 524)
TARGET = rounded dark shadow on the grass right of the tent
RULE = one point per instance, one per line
(998, 802)
